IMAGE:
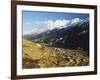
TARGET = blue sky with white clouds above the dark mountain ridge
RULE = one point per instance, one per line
(35, 20)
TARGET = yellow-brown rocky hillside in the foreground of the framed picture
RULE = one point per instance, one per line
(37, 55)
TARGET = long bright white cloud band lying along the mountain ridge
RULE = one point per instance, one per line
(43, 26)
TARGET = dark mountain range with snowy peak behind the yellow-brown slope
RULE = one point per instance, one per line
(74, 36)
